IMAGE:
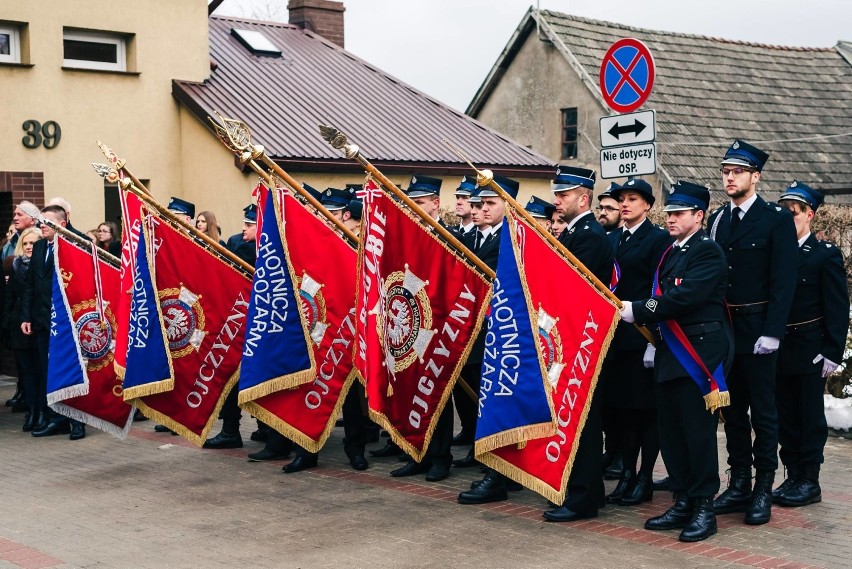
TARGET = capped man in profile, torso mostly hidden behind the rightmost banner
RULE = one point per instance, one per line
(586, 239)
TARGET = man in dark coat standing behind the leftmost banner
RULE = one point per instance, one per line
(36, 302)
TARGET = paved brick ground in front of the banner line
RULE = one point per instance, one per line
(155, 501)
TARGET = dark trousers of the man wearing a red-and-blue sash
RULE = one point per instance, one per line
(688, 438)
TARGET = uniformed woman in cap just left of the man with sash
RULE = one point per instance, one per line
(627, 377)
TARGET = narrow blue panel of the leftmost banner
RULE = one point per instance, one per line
(66, 376)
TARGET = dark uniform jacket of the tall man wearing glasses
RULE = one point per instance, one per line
(761, 259)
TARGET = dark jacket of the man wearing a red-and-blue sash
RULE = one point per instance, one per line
(693, 280)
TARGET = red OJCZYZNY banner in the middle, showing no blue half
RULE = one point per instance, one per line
(420, 306)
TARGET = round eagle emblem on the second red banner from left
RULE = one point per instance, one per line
(183, 317)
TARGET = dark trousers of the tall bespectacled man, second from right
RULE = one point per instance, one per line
(752, 387)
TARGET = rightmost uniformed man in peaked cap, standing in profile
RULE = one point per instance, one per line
(812, 348)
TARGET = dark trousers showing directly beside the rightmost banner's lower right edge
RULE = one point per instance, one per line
(585, 485)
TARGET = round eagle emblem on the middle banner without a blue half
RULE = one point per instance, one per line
(405, 320)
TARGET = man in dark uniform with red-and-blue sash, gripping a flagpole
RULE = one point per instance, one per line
(690, 288)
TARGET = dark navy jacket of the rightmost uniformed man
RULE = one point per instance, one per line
(819, 317)
